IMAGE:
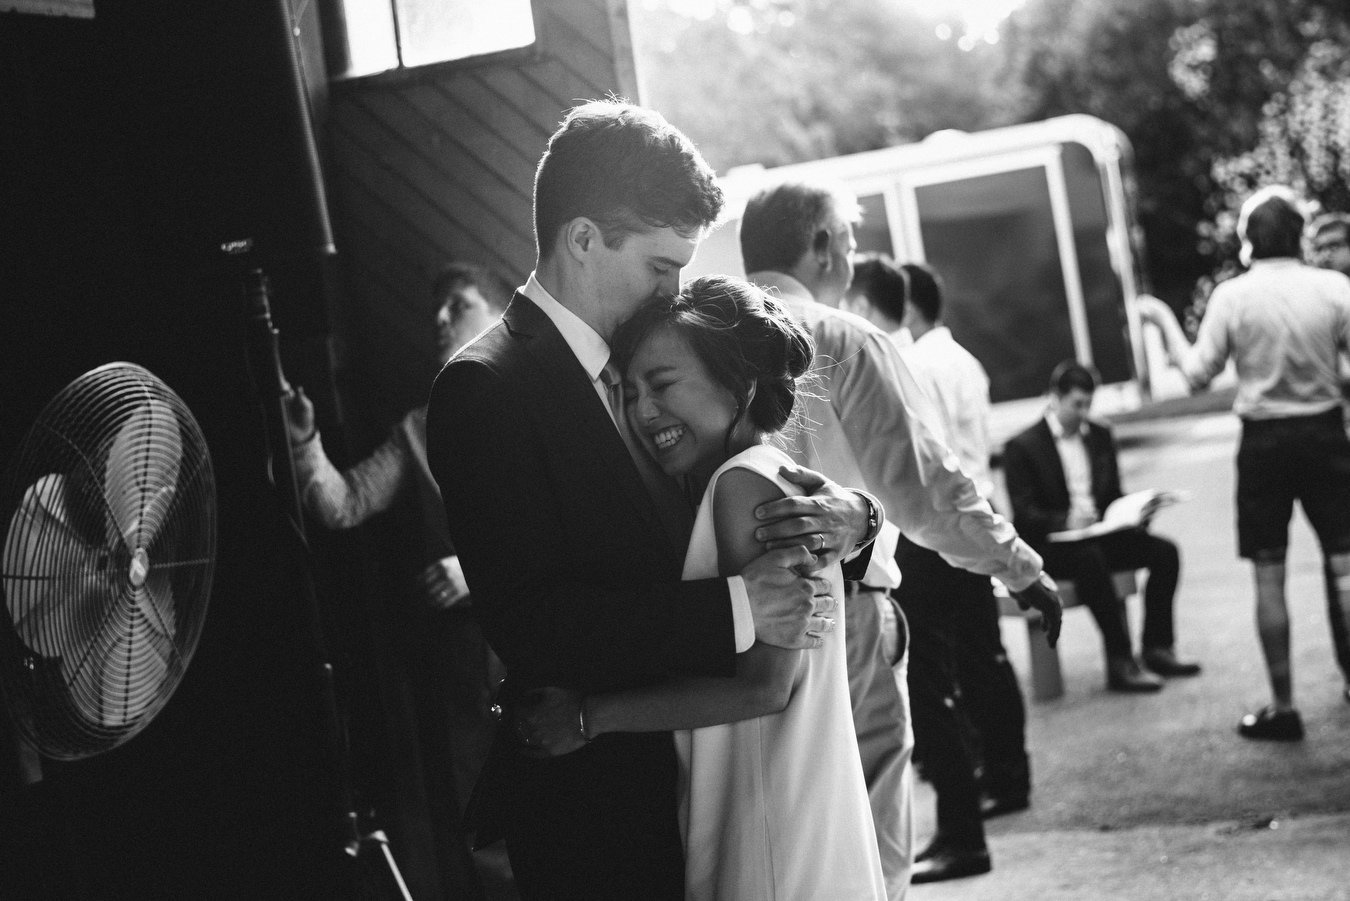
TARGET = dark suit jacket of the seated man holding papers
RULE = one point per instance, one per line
(1036, 483)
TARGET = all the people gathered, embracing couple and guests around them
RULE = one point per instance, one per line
(732, 542)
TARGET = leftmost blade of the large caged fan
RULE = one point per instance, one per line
(52, 577)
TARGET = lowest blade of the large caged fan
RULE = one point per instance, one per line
(117, 677)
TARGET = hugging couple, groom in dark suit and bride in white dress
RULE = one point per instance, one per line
(572, 442)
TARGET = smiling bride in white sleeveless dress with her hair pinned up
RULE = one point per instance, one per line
(773, 799)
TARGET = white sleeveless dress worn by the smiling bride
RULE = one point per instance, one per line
(776, 808)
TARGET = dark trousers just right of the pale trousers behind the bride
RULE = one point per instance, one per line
(965, 699)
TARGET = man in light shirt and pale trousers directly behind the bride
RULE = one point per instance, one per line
(869, 425)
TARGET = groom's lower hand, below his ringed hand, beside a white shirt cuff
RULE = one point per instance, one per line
(790, 610)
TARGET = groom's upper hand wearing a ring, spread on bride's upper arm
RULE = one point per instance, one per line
(828, 519)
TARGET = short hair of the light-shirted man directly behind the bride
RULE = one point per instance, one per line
(782, 224)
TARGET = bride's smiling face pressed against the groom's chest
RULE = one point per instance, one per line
(680, 413)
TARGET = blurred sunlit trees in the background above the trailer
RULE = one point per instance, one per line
(1217, 97)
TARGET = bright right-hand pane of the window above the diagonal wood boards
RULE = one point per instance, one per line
(442, 30)
